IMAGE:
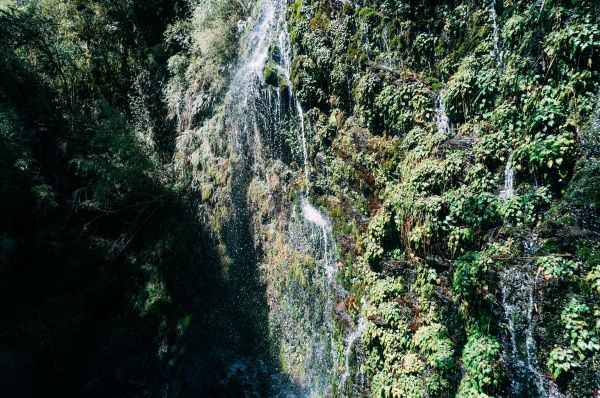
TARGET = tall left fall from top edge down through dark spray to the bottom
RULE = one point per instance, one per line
(251, 118)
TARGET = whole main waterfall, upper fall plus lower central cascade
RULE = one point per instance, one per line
(256, 118)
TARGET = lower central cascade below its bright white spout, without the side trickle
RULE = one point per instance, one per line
(313, 302)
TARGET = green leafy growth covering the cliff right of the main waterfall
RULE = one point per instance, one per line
(423, 211)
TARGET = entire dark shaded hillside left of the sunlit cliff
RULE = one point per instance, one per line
(110, 286)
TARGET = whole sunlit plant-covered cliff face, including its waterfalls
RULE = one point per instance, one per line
(453, 147)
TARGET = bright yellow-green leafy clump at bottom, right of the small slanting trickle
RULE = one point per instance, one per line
(400, 363)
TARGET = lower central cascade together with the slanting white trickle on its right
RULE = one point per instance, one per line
(327, 370)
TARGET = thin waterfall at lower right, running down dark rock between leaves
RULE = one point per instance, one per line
(517, 286)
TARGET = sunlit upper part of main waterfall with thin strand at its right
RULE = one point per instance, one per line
(249, 112)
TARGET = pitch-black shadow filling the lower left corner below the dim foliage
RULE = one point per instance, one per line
(72, 324)
